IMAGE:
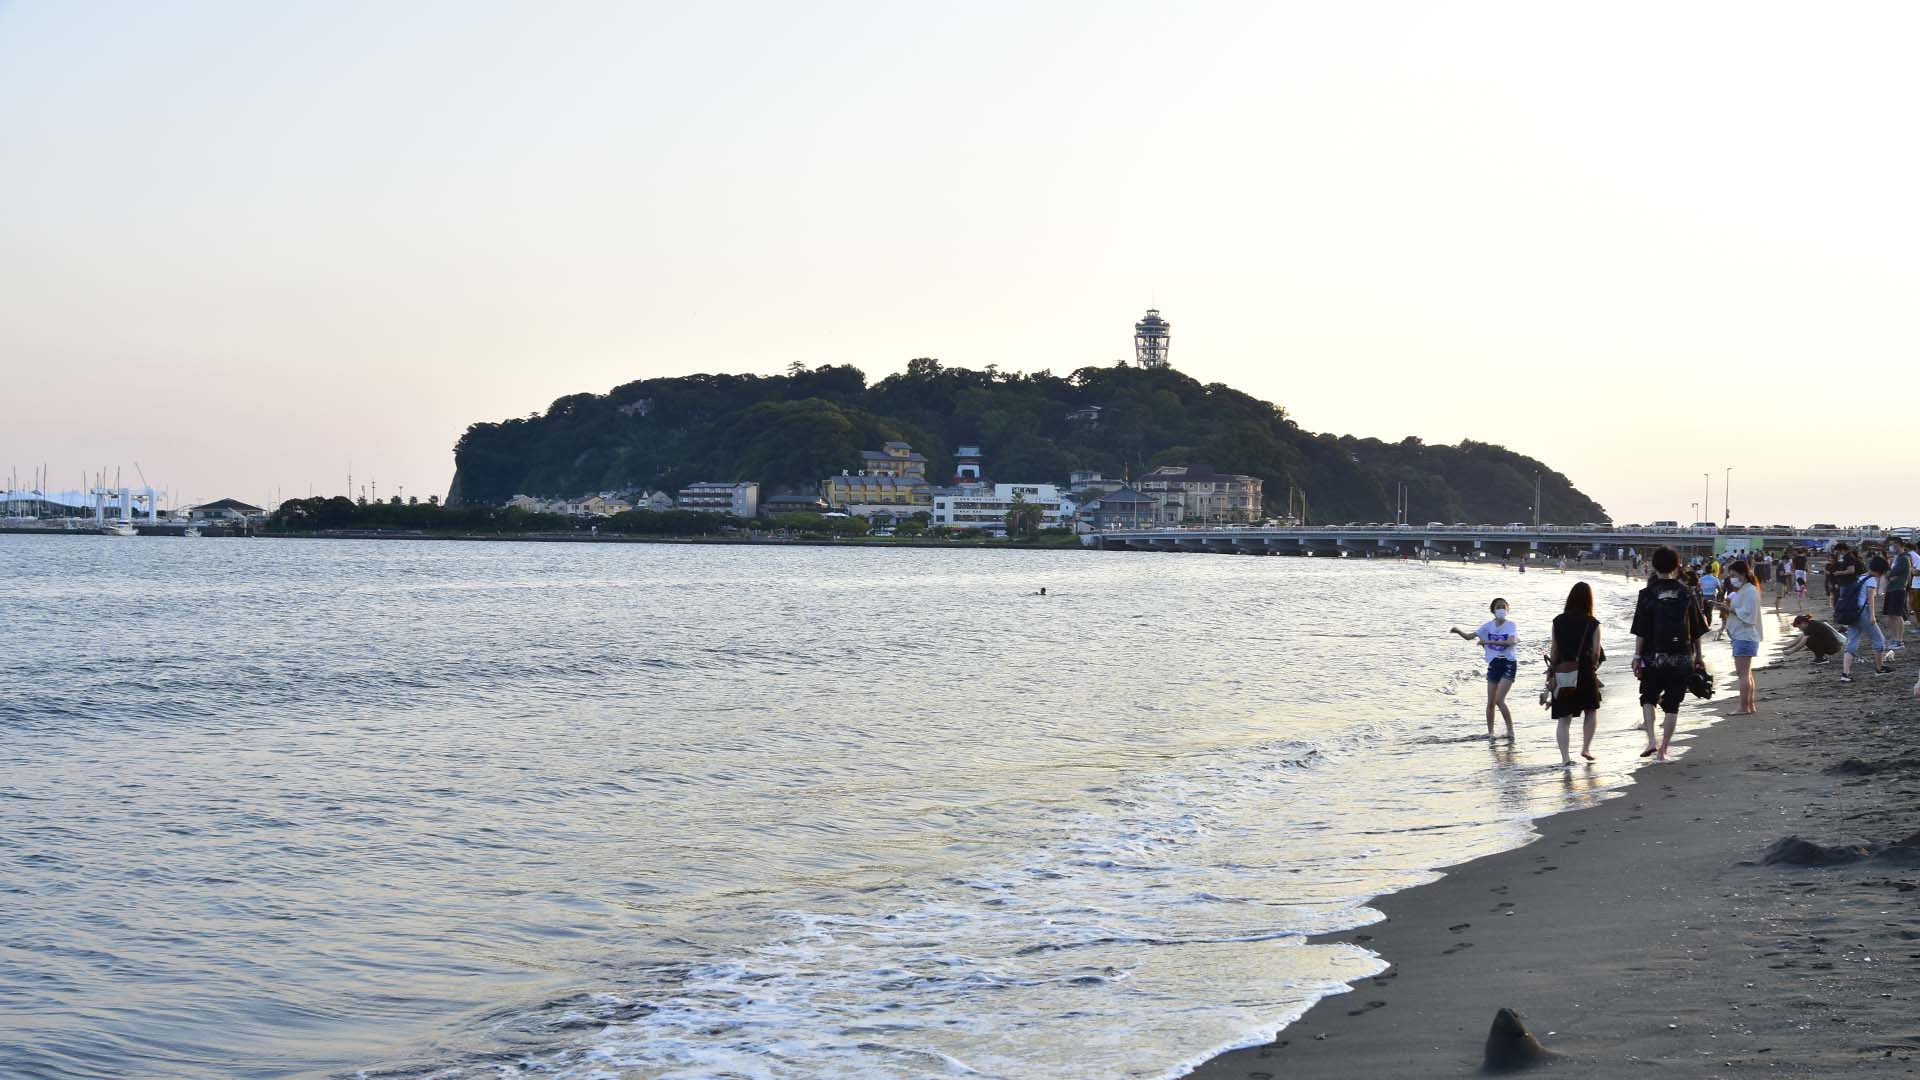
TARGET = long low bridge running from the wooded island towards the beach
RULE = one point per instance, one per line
(1493, 541)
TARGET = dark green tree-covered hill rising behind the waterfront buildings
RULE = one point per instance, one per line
(790, 431)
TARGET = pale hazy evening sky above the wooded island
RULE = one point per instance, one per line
(256, 247)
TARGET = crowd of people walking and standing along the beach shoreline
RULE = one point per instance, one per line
(1871, 593)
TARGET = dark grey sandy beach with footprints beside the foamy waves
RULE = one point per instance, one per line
(1669, 931)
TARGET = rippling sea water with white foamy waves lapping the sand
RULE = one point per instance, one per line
(638, 812)
